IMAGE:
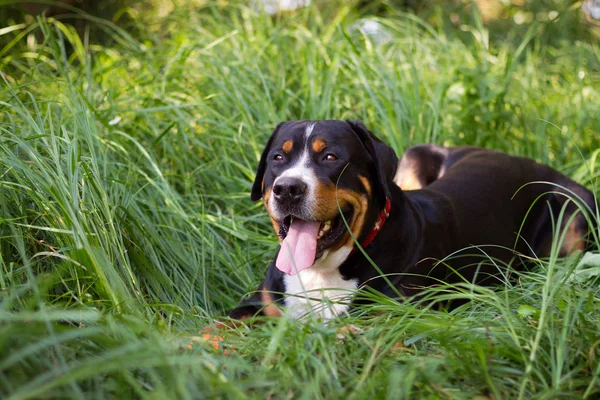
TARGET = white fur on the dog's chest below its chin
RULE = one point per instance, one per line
(320, 288)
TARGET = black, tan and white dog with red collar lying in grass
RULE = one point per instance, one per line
(336, 194)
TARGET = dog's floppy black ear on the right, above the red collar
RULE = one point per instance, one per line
(383, 155)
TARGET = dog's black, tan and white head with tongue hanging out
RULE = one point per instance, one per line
(312, 173)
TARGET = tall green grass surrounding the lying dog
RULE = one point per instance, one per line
(126, 224)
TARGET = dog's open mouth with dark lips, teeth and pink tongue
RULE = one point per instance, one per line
(305, 241)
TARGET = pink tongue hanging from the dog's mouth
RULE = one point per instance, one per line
(299, 247)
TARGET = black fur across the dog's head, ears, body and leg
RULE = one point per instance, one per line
(472, 197)
